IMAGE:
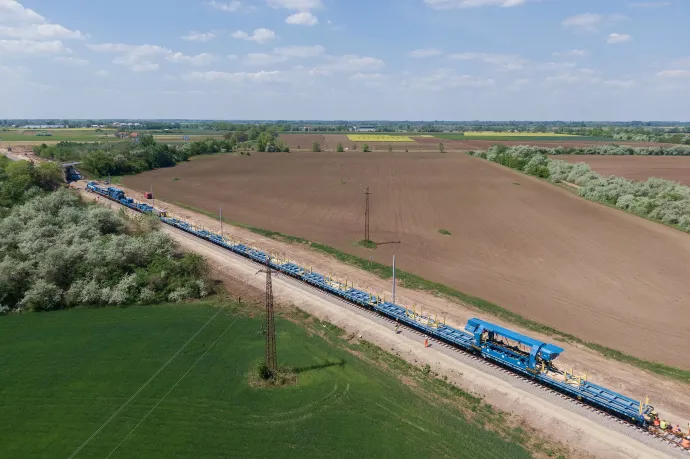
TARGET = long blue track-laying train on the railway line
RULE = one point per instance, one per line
(522, 354)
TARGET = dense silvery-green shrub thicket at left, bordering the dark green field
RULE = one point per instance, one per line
(56, 251)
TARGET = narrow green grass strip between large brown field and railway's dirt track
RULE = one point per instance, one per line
(416, 282)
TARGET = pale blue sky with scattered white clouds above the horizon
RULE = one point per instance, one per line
(354, 59)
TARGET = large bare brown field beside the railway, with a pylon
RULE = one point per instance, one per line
(601, 274)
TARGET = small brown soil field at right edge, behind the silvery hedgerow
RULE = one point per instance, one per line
(639, 168)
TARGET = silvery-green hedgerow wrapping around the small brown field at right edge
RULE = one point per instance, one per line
(657, 199)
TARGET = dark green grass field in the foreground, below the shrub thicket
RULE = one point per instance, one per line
(75, 382)
